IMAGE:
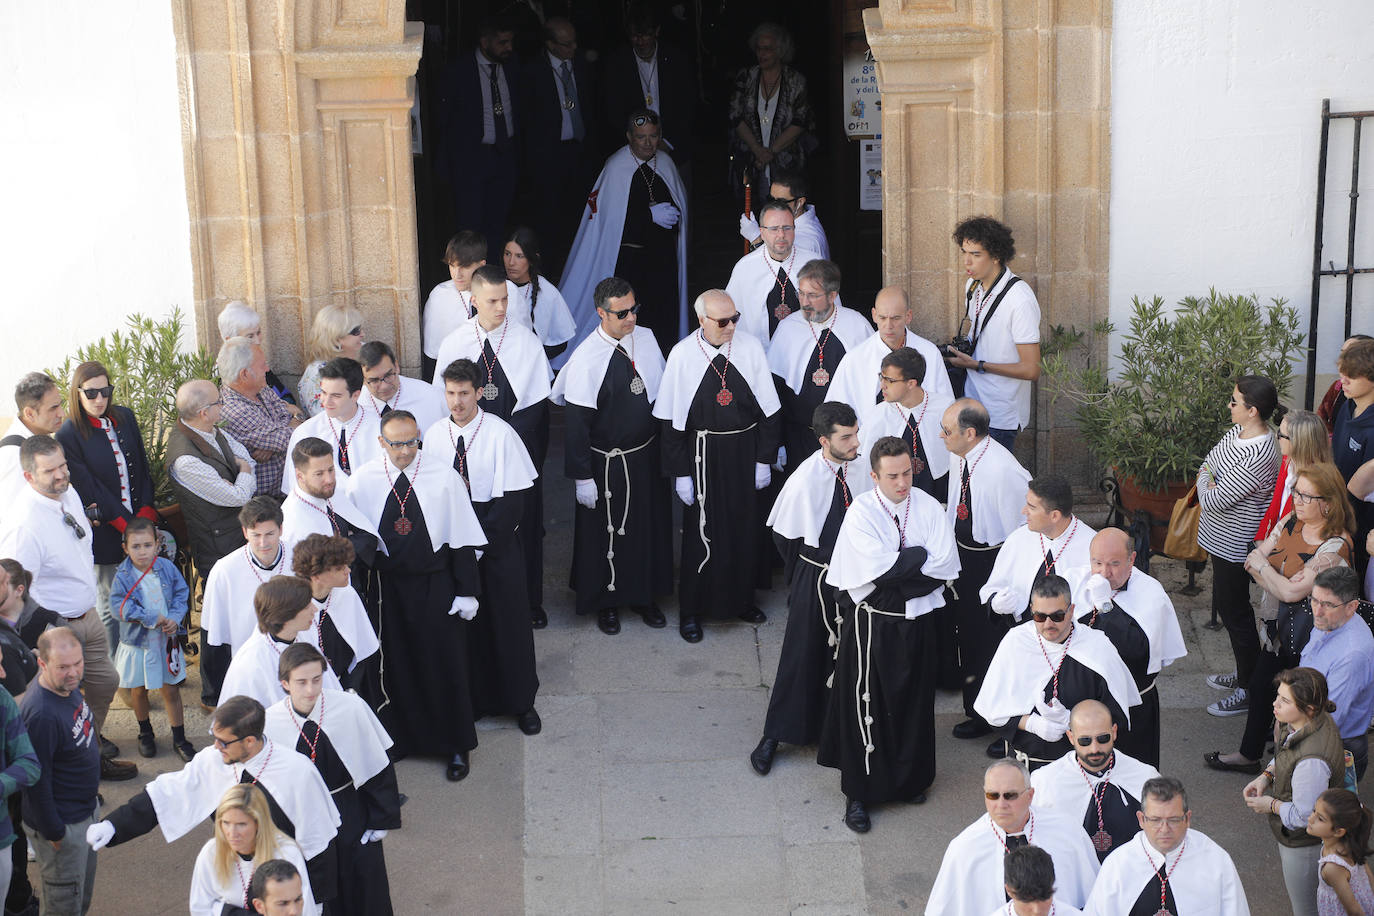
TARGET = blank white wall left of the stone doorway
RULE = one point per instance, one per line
(94, 225)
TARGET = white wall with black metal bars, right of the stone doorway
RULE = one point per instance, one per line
(1215, 138)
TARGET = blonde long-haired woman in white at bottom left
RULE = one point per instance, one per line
(245, 837)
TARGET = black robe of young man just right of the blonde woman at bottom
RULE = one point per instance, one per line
(363, 889)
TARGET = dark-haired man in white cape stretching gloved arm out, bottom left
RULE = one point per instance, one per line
(183, 800)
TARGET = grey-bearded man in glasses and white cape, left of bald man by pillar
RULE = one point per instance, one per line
(806, 352)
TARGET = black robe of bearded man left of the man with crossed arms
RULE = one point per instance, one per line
(798, 705)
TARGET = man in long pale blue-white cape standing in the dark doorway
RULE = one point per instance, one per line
(634, 227)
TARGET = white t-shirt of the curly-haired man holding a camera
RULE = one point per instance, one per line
(1017, 321)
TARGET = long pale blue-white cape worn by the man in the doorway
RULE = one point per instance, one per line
(597, 248)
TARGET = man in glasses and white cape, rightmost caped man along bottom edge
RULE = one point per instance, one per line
(1169, 867)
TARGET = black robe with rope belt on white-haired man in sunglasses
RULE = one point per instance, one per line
(725, 588)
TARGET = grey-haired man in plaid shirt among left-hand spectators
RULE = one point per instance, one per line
(252, 413)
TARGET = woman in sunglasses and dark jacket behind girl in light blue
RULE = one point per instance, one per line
(111, 474)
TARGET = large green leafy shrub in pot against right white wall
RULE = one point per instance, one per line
(1162, 409)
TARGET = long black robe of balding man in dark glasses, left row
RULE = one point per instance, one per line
(428, 708)
